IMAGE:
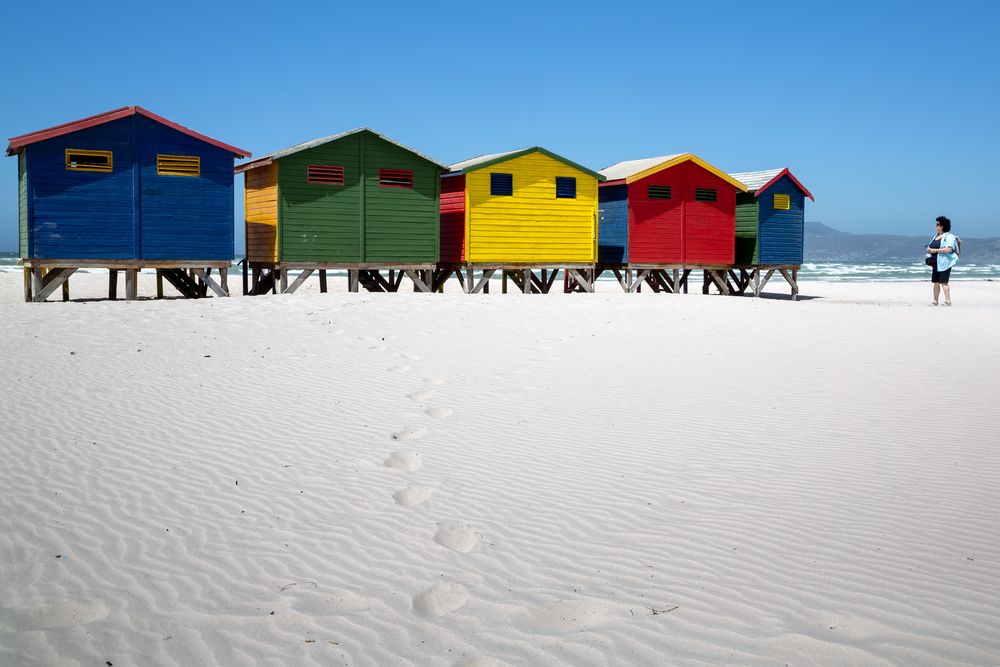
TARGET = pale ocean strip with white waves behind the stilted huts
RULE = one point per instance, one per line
(819, 271)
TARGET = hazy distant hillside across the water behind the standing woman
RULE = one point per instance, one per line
(826, 244)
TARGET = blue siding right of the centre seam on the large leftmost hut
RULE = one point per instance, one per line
(184, 217)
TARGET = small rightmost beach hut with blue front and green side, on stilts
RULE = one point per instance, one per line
(770, 223)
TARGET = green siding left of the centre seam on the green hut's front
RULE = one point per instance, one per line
(321, 222)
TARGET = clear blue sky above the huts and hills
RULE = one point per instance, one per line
(888, 111)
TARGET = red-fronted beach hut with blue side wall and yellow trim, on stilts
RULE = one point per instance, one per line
(668, 213)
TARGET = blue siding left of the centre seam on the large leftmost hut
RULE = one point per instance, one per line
(81, 214)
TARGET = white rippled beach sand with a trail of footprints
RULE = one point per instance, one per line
(608, 479)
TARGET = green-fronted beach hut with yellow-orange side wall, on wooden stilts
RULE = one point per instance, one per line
(357, 201)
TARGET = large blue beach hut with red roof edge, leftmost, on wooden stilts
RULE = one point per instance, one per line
(124, 190)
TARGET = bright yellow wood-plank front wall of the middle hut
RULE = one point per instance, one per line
(532, 226)
